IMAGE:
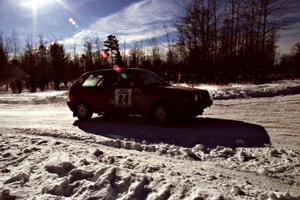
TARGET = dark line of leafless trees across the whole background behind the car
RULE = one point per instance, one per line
(216, 41)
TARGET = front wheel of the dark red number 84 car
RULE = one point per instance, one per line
(161, 114)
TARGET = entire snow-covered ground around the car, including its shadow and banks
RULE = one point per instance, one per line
(241, 148)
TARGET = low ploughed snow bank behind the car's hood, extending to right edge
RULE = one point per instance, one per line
(234, 91)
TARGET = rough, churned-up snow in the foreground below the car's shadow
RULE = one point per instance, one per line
(51, 167)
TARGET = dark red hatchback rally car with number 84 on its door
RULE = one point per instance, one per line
(134, 91)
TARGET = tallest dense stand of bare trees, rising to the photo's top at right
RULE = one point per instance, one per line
(233, 40)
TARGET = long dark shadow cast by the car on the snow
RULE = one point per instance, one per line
(210, 132)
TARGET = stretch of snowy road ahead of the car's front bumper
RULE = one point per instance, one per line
(280, 116)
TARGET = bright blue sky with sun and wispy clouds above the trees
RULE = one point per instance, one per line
(130, 20)
